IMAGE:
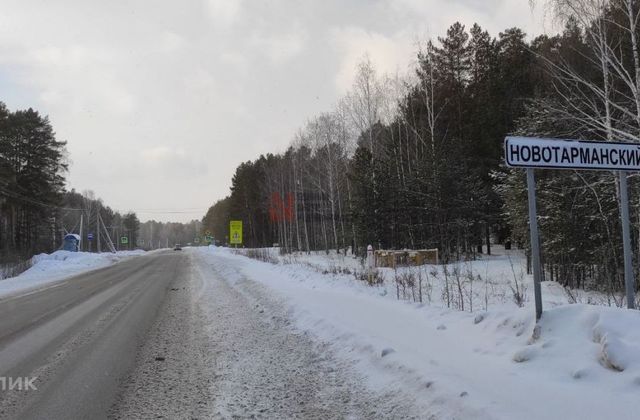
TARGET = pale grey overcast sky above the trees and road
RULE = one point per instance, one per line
(159, 101)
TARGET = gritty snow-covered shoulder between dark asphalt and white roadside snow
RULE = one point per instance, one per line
(229, 350)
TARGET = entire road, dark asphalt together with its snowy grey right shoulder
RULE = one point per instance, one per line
(169, 335)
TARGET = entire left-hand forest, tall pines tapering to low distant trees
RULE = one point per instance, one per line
(36, 209)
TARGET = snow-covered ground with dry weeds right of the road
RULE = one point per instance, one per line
(582, 361)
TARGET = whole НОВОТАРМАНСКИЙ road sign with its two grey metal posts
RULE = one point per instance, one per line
(530, 153)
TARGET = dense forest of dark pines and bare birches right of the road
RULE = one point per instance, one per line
(416, 161)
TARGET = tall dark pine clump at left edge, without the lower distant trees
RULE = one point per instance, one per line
(32, 168)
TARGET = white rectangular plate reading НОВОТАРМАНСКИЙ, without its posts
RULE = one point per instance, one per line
(527, 152)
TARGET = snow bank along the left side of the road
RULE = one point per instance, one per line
(50, 268)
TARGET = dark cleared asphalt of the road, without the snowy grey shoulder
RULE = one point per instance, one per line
(79, 337)
